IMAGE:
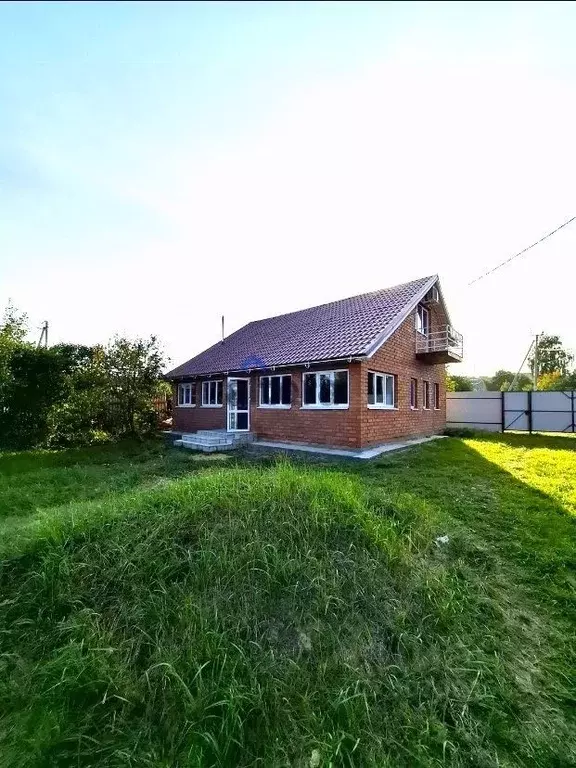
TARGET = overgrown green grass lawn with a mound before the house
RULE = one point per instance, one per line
(160, 608)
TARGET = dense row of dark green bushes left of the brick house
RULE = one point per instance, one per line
(71, 394)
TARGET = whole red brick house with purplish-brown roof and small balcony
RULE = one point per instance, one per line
(352, 373)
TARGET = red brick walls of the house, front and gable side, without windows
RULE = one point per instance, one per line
(354, 427)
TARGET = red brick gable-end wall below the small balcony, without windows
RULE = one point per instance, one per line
(396, 356)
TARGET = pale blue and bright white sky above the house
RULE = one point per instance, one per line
(163, 164)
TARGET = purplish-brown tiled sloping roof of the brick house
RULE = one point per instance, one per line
(353, 327)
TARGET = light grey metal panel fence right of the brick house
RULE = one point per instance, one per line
(522, 411)
